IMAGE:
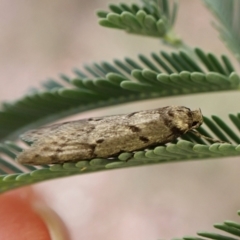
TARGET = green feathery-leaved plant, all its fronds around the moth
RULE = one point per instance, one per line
(181, 72)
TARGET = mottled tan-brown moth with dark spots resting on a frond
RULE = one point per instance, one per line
(105, 137)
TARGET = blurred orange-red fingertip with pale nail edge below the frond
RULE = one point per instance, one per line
(25, 216)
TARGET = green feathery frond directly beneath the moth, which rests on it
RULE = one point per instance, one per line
(16, 175)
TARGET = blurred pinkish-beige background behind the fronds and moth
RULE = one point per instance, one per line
(40, 39)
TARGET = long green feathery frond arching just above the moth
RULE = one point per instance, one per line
(107, 84)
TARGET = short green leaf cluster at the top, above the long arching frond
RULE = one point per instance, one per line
(154, 19)
